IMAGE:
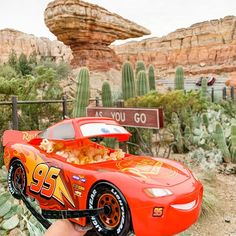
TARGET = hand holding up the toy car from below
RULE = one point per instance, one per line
(65, 227)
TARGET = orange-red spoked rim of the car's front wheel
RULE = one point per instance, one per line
(112, 218)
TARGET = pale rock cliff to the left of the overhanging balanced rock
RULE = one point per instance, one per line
(29, 44)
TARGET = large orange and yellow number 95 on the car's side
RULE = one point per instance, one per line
(44, 178)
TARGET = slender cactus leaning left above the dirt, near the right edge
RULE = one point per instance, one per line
(221, 143)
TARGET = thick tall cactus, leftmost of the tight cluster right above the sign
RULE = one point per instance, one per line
(128, 85)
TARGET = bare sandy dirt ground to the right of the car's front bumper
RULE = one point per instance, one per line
(224, 221)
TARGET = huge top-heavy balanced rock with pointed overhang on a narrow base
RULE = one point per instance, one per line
(89, 29)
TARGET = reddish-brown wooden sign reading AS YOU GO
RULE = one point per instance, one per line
(132, 117)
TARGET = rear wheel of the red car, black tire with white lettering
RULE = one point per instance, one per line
(16, 179)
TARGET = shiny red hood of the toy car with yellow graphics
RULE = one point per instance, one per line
(154, 171)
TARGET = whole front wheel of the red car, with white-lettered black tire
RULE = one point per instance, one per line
(116, 221)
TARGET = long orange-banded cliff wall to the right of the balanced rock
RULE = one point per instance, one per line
(204, 48)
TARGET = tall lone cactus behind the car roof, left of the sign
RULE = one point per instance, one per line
(83, 93)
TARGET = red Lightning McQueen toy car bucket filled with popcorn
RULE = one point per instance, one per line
(118, 193)
